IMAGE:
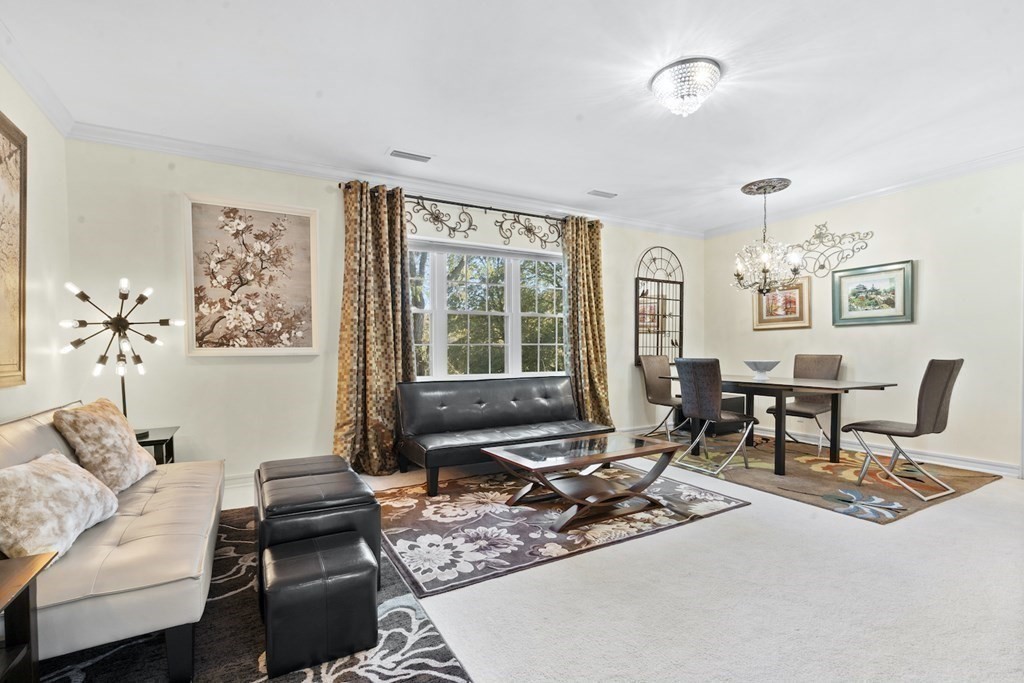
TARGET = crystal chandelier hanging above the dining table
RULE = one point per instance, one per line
(766, 266)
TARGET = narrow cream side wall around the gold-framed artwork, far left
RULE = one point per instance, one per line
(48, 257)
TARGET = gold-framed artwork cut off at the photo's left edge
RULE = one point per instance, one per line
(14, 198)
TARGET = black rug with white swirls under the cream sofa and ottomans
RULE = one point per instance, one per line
(230, 637)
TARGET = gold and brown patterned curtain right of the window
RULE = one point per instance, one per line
(588, 356)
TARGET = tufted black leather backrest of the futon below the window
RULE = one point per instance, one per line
(431, 408)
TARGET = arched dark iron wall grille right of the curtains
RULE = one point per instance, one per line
(659, 305)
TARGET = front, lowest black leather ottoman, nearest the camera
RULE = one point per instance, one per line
(321, 602)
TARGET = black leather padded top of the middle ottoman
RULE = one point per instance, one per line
(314, 494)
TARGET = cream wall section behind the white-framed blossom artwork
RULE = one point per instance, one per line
(126, 212)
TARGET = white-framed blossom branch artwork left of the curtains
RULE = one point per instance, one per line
(252, 279)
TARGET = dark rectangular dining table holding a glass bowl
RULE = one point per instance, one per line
(784, 388)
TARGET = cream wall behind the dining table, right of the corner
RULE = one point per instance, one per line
(965, 238)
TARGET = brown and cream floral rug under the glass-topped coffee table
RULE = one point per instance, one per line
(466, 534)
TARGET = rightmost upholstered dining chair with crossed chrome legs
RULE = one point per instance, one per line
(933, 412)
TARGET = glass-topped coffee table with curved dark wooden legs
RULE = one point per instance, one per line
(549, 471)
